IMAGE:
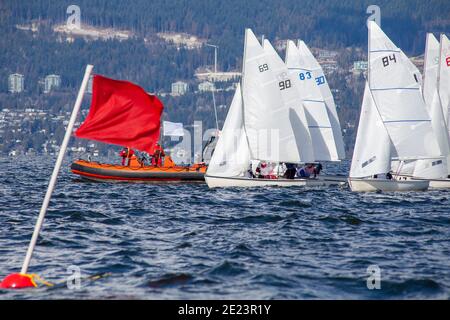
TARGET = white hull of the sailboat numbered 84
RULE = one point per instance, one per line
(372, 185)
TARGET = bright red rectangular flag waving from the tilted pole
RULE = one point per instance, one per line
(122, 113)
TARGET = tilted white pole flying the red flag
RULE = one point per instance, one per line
(58, 163)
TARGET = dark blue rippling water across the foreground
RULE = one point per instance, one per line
(186, 241)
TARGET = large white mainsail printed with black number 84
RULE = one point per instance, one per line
(397, 96)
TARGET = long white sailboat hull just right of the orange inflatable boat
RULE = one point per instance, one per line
(224, 182)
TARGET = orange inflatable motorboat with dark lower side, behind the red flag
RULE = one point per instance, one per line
(137, 172)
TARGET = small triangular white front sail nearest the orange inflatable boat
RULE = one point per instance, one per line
(231, 156)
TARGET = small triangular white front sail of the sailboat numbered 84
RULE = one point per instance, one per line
(372, 153)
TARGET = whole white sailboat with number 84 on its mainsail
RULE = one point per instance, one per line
(394, 123)
